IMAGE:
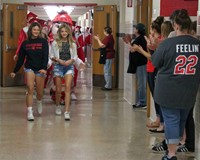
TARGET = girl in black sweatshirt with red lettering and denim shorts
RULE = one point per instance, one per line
(36, 52)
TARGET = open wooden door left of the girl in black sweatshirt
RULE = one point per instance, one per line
(14, 16)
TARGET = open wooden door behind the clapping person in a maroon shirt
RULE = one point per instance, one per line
(104, 16)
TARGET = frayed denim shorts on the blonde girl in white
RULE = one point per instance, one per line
(61, 71)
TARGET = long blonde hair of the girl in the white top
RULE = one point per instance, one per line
(69, 36)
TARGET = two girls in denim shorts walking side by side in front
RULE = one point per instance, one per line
(35, 52)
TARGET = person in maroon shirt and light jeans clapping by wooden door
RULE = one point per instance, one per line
(108, 44)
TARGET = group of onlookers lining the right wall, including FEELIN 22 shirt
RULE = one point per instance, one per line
(173, 76)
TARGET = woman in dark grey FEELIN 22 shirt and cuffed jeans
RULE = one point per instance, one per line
(178, 62)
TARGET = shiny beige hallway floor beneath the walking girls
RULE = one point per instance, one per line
(103, 126)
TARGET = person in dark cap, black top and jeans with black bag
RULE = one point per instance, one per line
(137, 64)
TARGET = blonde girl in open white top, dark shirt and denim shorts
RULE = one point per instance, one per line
(63, 54)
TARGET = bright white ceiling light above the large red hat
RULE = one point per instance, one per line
(52, 11)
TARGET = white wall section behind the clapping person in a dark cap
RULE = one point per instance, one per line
(127, 81)
